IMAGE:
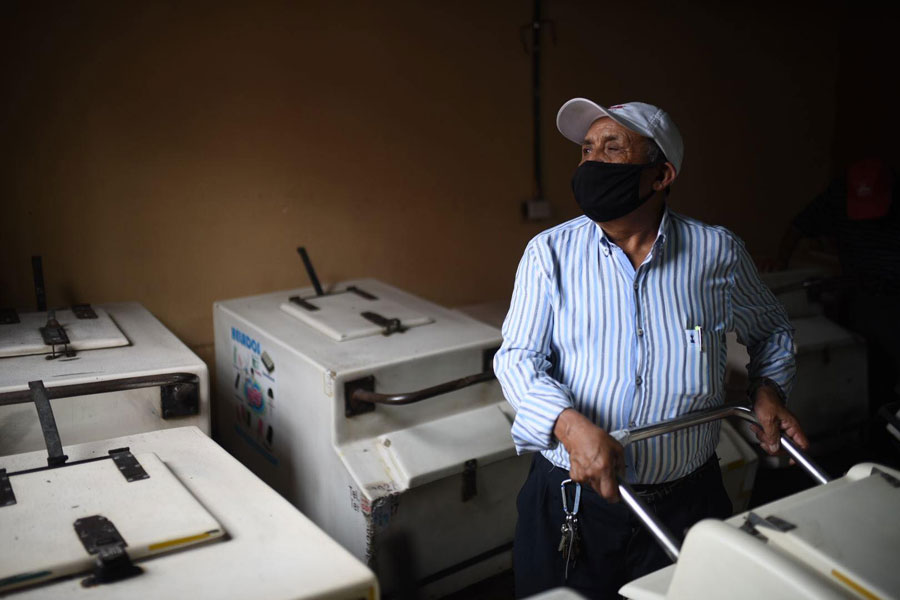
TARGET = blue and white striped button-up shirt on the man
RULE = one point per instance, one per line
(586, 330)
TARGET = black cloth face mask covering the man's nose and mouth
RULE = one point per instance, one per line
(607, 191)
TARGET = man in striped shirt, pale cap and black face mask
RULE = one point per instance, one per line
(617, 320)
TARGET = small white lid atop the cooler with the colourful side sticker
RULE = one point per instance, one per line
(339, 315)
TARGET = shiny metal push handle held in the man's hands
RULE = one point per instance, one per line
(662, 534)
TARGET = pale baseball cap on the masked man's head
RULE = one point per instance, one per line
(576, 116)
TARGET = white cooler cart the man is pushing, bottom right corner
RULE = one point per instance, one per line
(834, 541)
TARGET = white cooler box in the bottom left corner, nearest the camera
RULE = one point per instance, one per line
(166, 514)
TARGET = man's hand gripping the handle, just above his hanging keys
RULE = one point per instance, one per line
(595, 457)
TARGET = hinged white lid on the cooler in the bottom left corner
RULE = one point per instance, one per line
(38, 540)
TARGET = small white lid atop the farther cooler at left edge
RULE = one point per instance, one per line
(24, 338)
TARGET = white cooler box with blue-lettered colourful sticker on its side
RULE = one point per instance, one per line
(423, 492)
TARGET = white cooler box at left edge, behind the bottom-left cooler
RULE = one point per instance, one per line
(121, 372)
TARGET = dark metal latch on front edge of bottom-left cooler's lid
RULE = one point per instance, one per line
(100, 537)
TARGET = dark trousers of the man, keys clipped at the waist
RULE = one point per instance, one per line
(615, 546)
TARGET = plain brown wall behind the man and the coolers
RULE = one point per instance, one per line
(177, 153)
